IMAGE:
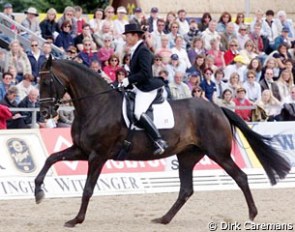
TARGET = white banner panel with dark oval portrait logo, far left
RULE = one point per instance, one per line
(22, 152)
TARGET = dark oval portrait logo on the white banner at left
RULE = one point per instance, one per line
(21, 155)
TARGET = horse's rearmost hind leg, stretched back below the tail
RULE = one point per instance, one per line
(240, 178)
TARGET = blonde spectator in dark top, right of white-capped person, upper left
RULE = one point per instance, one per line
(49, 27)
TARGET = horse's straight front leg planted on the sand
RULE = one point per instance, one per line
(95, 164)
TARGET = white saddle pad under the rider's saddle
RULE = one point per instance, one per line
(163, 116)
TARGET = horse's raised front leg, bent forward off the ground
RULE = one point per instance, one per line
(71, 153)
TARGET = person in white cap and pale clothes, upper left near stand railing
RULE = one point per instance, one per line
(31, 22)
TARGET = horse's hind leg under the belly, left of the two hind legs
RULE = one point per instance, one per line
(187, 161)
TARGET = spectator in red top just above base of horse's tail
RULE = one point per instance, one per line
(242, 101)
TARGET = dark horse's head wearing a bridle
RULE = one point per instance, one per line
(52, 89)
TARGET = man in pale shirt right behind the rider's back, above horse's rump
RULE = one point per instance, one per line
(179, 90)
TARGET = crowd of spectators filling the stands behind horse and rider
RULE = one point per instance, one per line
(225, 60)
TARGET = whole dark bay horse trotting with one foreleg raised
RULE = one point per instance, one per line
(98, 132)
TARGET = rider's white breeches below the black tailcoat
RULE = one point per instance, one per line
(143, 100)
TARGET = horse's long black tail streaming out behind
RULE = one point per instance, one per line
(274, 164)
